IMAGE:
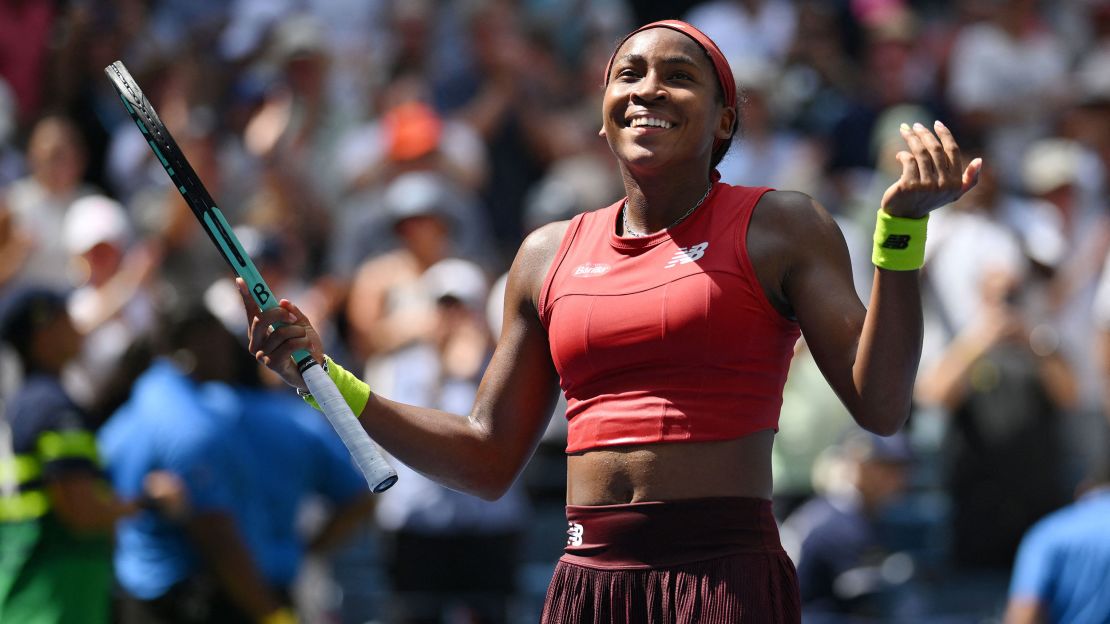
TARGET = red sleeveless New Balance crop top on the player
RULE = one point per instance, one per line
(667, 338)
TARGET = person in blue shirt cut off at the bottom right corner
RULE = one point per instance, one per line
(1064, 563)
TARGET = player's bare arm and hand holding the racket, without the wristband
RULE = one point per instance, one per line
(483, 452)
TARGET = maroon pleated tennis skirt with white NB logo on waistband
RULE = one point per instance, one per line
(707, 561)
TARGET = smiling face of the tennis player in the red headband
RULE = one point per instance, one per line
(663, 106)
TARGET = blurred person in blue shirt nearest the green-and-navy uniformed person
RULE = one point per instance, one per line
(201, 571)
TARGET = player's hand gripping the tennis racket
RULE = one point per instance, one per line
(275, 347)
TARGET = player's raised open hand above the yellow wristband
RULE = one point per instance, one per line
(933, 173)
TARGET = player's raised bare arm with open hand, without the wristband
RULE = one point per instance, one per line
(870, 357)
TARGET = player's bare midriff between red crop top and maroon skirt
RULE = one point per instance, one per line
(672, 471)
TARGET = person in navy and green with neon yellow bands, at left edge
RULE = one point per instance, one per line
(57, 514)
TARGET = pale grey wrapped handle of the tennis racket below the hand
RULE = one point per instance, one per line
(369, 458)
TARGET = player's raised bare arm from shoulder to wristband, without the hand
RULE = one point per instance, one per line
(869, 356)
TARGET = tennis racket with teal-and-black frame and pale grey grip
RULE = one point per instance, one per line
(379, 474)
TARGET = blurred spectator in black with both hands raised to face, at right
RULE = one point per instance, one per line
(1006, 386)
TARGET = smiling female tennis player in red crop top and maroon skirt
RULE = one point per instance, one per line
(669, 320)
